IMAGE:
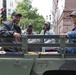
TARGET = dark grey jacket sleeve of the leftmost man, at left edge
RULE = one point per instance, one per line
(5, 31)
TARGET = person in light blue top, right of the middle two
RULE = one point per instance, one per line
(47, 31)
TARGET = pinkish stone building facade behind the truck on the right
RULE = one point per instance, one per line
(63, 22)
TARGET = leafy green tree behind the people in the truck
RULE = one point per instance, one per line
(30, 15)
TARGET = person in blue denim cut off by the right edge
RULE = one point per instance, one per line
(70, 34)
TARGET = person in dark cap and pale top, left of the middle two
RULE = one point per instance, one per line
(29, 31)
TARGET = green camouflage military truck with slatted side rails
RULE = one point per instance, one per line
(39, 63)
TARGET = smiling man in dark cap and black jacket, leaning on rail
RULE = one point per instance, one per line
(11, 28)
